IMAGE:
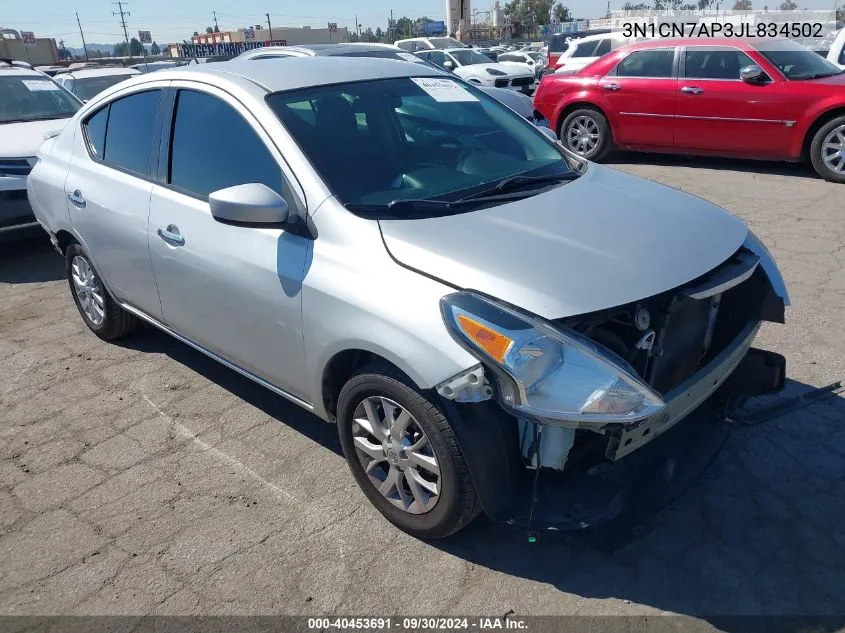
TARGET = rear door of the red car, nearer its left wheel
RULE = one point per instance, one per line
(639, 95)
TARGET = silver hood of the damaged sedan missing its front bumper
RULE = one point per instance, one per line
(601, 241)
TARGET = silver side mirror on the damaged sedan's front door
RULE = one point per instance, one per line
(252, 203)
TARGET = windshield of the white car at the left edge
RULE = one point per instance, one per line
(34, 98)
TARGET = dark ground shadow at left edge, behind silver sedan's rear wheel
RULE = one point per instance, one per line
(30, 259)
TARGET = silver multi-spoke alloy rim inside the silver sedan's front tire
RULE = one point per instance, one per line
(396, 455)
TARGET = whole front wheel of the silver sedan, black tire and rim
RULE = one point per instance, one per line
(404, 454)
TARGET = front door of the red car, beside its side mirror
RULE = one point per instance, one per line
(720, 113)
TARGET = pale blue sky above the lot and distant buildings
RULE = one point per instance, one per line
(172, 21)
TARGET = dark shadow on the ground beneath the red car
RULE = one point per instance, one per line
(773, 168)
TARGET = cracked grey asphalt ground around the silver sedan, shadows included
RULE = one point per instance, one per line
(142, 478)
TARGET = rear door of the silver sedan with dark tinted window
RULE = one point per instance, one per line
(108, 193)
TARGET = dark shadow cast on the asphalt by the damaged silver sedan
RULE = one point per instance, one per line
(760, 533)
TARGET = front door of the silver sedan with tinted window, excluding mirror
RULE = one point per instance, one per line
(234, 290)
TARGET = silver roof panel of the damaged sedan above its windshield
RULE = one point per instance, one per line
(304, 72)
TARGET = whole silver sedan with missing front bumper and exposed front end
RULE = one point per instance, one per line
(493, 325)
